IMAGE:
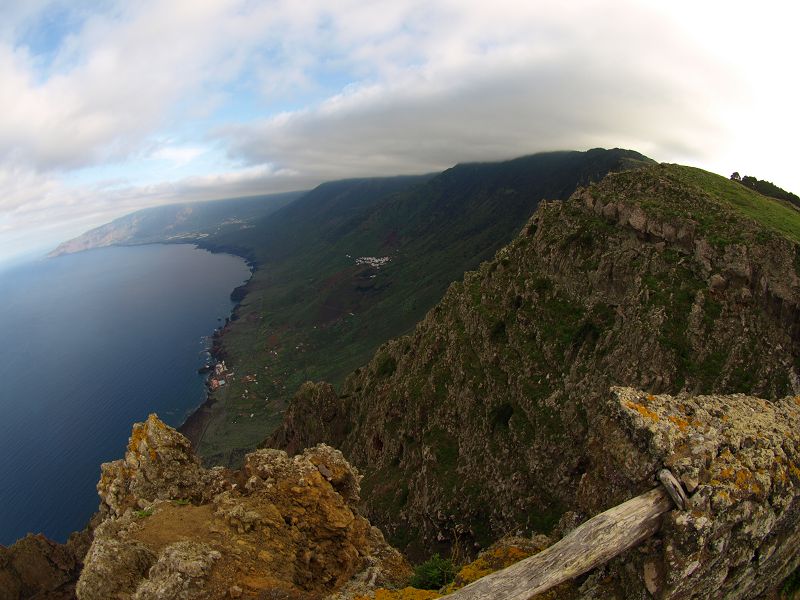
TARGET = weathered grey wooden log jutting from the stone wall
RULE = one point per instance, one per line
(594, 543)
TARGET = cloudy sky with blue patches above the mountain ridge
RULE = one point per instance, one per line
(107, 107)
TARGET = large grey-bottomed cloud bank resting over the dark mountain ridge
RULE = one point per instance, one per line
(552, 81)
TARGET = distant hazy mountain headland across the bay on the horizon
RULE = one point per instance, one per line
(185, 222)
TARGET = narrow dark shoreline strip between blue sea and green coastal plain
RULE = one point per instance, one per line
(196, 422)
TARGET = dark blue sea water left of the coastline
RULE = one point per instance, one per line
(89, 344)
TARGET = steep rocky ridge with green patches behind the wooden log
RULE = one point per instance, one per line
(667, 279)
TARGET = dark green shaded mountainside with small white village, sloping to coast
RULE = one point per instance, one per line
(322, 310)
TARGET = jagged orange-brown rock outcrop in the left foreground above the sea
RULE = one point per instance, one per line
(281, 527)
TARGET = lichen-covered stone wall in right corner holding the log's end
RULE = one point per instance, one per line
(737, 457)
